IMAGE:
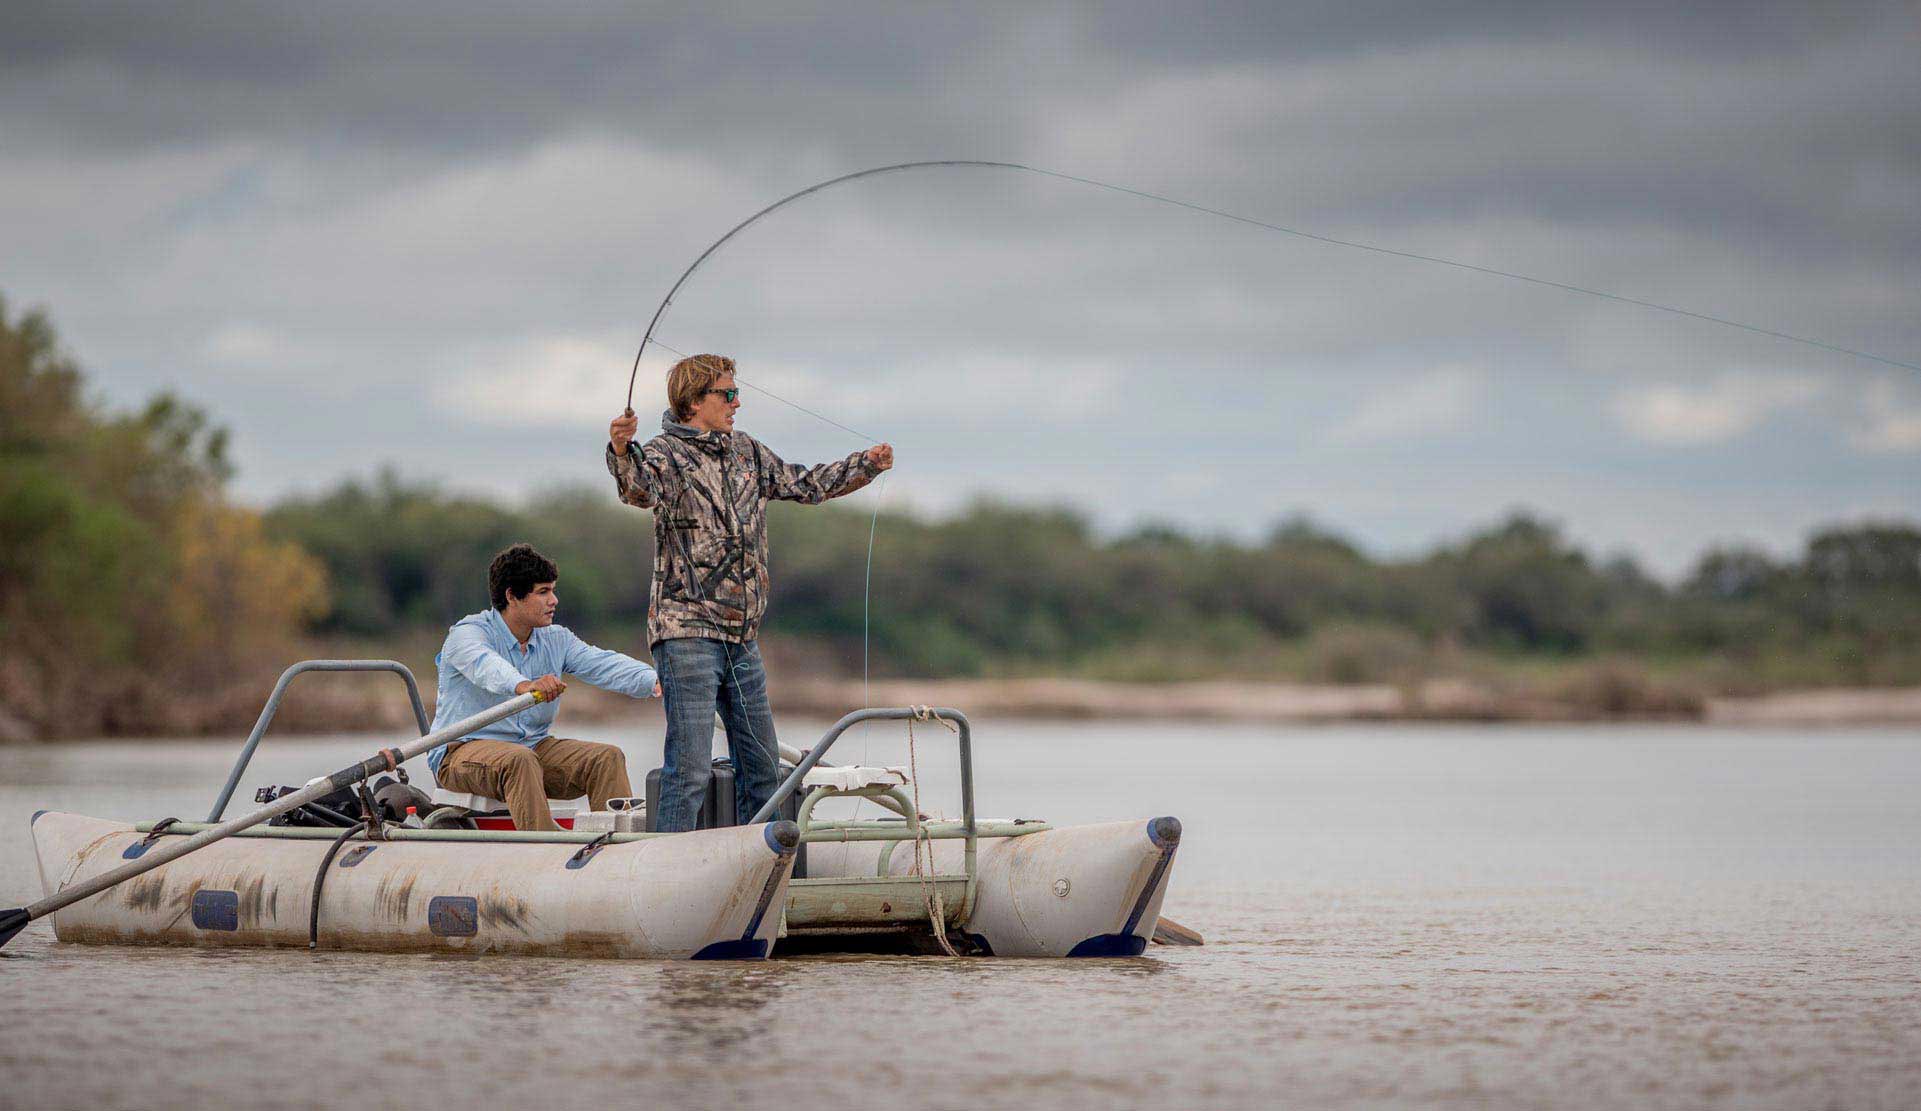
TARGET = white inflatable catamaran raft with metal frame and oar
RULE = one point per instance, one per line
(612, 889)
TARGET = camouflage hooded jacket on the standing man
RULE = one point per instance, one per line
(710, 495)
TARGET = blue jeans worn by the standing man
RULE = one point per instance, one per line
(700, 678)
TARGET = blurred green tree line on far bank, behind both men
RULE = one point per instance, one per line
(1002, 589)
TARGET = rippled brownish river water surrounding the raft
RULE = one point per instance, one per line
(1398, 916)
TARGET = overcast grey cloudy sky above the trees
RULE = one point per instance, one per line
(433, 235)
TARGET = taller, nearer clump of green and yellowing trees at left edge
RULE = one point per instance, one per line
(124, 570)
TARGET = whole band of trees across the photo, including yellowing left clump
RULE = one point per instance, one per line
(128, 578)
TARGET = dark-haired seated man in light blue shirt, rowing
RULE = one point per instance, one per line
(516, 649)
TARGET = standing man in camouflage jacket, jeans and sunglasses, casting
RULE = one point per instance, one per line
(708, 487)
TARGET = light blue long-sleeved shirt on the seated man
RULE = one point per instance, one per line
(481, 664)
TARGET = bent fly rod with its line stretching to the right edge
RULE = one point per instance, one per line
(1215, 212)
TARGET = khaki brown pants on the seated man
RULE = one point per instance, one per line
(527, 778)
